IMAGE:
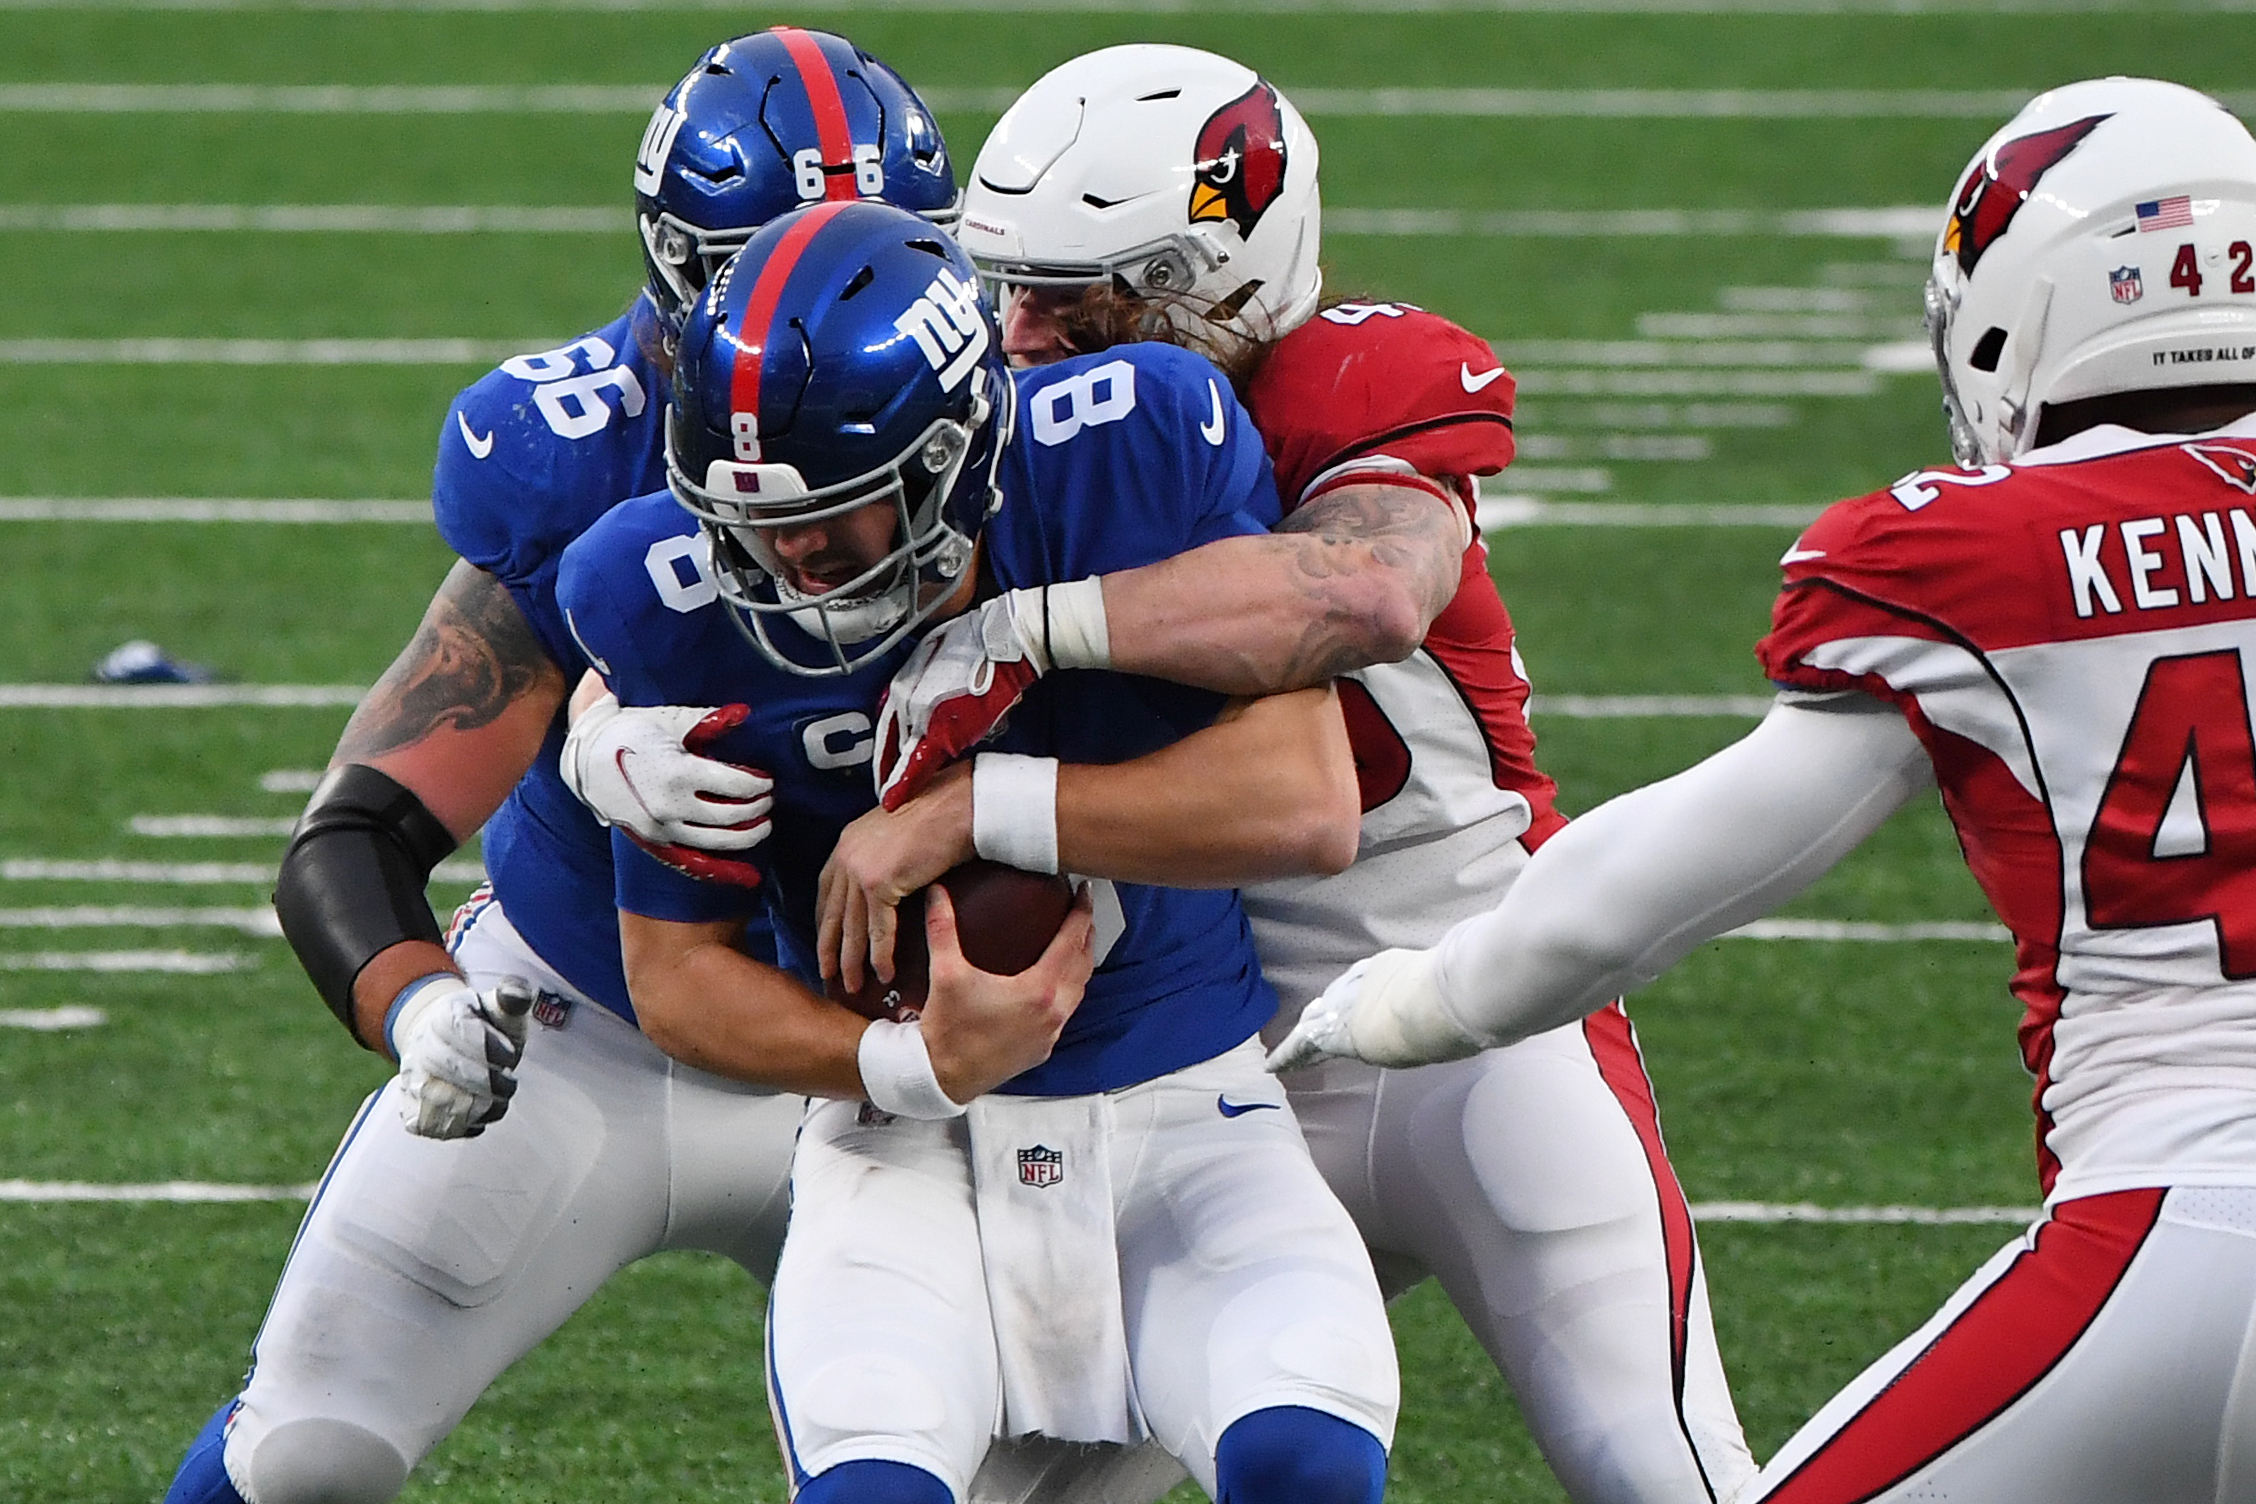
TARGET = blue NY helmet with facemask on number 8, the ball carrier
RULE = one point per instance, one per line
(843, 360)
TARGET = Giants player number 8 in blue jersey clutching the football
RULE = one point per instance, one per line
(1007, 1219)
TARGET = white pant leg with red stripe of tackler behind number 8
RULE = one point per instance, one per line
(1535, 1187)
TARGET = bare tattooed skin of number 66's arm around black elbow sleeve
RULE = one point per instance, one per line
(457, 720)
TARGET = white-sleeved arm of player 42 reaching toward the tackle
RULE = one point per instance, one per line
(1639, 883)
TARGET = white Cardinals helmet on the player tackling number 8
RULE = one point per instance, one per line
(1165, 172)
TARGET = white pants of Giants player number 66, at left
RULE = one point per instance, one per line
(425, 1268)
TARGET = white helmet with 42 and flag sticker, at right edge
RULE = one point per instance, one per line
(2101, 242)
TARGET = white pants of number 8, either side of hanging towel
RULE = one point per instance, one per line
(1242, 1282)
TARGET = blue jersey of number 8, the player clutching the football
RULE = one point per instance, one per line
(1120, 461)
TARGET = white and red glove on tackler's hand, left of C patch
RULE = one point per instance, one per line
(644, 770)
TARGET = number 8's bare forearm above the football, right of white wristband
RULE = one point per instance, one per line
(1264, 793)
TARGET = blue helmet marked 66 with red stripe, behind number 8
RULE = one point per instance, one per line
(766, 125)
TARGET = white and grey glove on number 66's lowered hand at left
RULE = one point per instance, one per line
(459, 1054)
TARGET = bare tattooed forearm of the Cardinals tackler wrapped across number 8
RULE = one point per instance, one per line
(1352, 578)
